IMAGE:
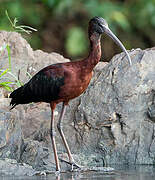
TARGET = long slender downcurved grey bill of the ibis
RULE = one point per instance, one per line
(118, 42)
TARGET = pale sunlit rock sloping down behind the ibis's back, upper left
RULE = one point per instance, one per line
(24, 60)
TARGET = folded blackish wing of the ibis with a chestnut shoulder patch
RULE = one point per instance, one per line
(44, 86)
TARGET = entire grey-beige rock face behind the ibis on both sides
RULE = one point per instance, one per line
(113, 122)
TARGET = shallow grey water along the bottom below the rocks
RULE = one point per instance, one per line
(120, 173)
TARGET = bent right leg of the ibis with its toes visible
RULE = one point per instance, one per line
(59, 126)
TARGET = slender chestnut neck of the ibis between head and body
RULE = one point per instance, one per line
(95, 51)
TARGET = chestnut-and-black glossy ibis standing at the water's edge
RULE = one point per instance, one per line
(62, 82)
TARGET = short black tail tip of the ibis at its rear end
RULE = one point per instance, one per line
(17, 97)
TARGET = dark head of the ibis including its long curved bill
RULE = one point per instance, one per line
(98, 25)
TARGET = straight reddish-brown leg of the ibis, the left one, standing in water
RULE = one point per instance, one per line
(52, 134)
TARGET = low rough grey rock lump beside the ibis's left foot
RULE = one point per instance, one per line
(38, 156)
